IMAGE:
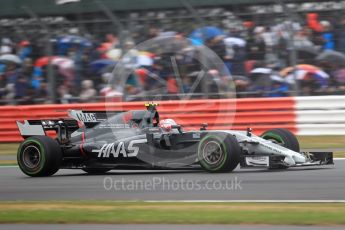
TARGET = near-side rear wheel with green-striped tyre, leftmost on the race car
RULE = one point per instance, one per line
(39, 156)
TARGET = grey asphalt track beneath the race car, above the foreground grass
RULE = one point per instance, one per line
(327, 183)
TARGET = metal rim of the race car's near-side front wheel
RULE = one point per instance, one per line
(212, 153)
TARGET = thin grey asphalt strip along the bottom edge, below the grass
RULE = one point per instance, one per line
(161, 226)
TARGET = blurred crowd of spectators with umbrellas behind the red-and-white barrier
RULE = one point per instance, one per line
(259, 61)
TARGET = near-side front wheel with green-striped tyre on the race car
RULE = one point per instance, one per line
(219, 153)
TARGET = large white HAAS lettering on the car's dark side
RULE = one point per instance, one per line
(119, 149)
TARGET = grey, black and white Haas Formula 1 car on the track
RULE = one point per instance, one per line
(97, 142)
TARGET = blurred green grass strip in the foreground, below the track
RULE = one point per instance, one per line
(172, 213)
